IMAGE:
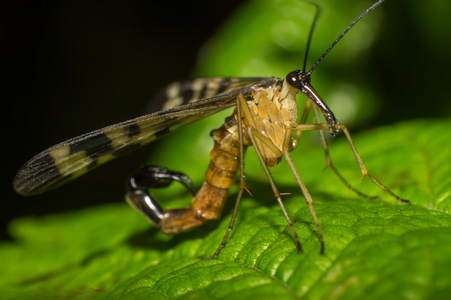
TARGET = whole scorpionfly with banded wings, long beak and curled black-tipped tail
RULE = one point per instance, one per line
(265, 117)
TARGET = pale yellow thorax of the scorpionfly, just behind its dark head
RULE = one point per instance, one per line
(273, 110)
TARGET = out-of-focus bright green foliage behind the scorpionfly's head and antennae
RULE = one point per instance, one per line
(268, 38)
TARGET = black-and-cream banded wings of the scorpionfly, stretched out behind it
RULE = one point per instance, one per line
(183, 103)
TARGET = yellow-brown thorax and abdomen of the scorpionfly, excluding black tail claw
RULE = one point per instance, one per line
(271, 111)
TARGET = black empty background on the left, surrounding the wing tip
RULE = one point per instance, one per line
(70, 67)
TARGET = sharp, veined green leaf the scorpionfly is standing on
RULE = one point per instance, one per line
(374, 249)
